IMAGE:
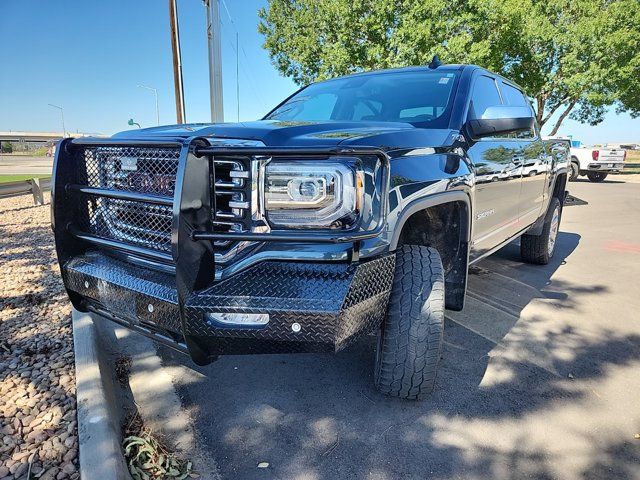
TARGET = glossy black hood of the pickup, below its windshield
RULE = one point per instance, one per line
(274, 133)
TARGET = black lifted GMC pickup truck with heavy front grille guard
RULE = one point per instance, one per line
(354, 207)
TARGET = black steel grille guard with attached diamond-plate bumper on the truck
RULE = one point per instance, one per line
(174, 297)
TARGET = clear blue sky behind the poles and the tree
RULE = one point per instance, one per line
(89, 57)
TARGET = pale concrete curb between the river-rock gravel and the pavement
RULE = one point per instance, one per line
(99, 421)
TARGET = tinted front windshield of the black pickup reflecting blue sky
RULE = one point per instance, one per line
(421, 98)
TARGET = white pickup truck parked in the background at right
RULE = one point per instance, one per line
(595, 163)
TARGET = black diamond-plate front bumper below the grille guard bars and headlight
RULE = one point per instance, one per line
(332, 303)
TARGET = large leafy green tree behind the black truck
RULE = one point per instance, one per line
(574, 58)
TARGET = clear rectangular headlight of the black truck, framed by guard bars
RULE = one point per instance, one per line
(312, 194)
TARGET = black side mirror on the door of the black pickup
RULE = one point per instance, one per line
(499, 120)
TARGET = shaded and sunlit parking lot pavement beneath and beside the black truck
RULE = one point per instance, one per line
(539, 378)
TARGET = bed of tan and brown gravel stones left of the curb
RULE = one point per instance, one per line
(38, 424)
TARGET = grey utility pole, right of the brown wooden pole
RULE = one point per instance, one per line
(215, 59)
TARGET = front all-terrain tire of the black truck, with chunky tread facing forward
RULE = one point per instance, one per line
(410, 341)
